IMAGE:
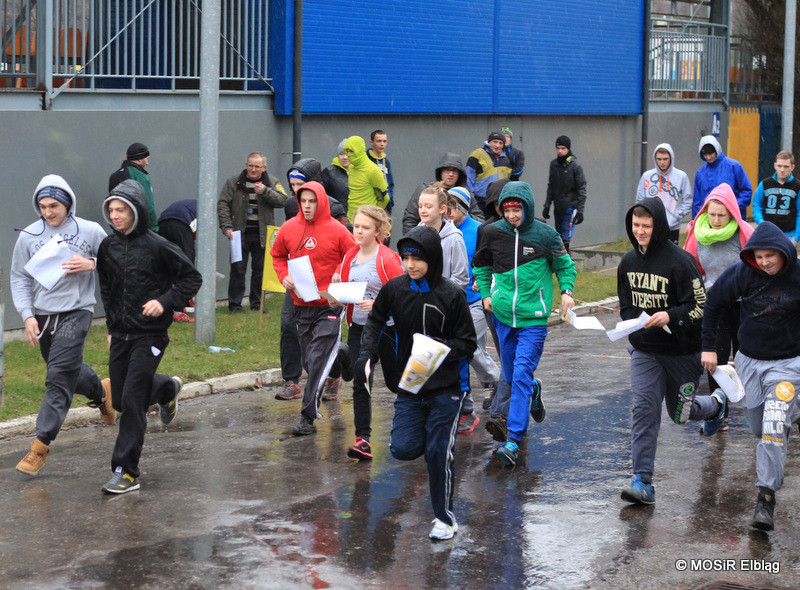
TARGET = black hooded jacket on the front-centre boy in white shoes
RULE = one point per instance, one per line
(433, 306)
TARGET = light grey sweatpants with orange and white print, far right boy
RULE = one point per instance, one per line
(770, 405)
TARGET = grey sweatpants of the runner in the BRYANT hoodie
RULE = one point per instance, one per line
(656, 378)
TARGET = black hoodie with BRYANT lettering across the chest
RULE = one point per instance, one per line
(664, 278)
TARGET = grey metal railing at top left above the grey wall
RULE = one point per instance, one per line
(56, 45)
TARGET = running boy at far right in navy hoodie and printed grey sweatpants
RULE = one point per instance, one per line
(767, 282)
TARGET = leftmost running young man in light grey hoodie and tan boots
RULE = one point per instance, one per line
(58, 318)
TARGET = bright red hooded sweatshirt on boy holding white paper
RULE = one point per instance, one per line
(323, 239)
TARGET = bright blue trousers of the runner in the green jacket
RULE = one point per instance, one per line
(520, 351)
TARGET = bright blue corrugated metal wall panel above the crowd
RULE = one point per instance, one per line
(449, 56)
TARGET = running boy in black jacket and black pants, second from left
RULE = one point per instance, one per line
(143, 279)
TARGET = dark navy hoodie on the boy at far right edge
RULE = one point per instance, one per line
(770, 304)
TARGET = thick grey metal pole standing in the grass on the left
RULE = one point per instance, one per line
(206, 299)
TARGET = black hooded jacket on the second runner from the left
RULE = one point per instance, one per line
(138, 267)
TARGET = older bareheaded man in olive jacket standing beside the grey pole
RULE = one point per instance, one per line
(246, 204)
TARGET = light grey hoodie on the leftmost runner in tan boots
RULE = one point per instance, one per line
(73, 291)
